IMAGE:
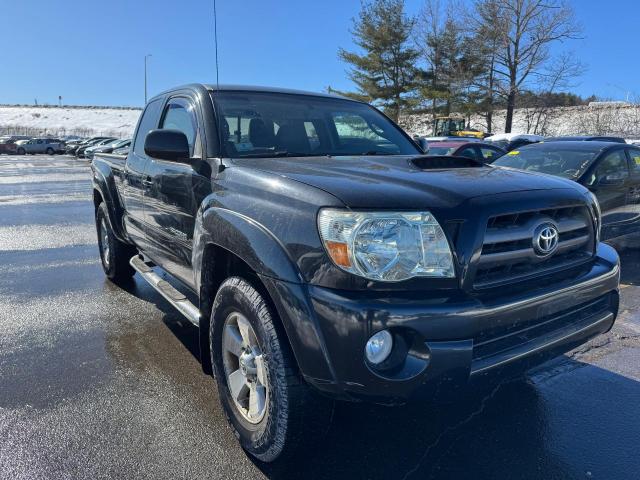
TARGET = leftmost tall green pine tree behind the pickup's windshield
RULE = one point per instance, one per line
(385, 72)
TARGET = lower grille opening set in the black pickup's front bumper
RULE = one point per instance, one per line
(493, 342)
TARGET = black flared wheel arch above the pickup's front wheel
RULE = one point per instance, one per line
(245, 238)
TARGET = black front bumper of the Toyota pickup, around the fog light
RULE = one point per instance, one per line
(446, 341)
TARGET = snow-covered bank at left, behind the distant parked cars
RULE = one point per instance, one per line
(60, 121)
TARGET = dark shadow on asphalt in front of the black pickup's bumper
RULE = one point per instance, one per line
(548, 427)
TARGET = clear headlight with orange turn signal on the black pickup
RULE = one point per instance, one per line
(386, 246)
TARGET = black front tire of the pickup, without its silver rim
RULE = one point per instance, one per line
(294, 414)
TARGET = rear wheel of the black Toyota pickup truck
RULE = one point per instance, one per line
(114, 254)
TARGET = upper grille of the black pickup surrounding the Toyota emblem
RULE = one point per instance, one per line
(508, 254)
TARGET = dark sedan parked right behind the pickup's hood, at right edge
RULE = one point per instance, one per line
(610, 170)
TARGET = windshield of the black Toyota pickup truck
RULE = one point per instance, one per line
(261, 124)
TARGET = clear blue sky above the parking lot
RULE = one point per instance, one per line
(92, 53)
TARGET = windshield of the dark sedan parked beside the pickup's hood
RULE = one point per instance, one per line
(563, 162)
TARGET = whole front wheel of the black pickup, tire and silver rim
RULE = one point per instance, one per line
(271, 410)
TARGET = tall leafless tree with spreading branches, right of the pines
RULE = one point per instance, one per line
(527, 29)
